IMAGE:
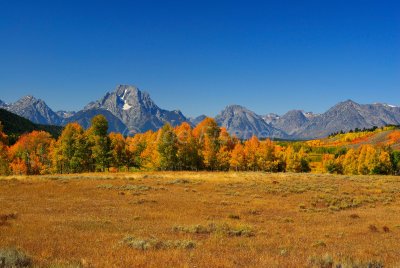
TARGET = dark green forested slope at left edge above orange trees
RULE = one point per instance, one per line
(15, 125)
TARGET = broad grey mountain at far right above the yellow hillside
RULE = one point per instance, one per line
(349, 115)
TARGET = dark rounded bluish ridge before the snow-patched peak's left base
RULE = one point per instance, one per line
(84, 118)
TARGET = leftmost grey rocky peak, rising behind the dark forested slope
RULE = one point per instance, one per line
(36, 110)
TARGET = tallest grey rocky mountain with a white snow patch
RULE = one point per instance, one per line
(136, 109)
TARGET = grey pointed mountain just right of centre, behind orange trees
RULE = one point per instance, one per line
(243, 123)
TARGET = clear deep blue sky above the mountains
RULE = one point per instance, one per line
(199, 56)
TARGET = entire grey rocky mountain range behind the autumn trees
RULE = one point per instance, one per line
(130, 110)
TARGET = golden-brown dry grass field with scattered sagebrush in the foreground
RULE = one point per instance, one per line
(200, 219)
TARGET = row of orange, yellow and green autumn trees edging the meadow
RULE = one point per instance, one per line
(205, 147)
